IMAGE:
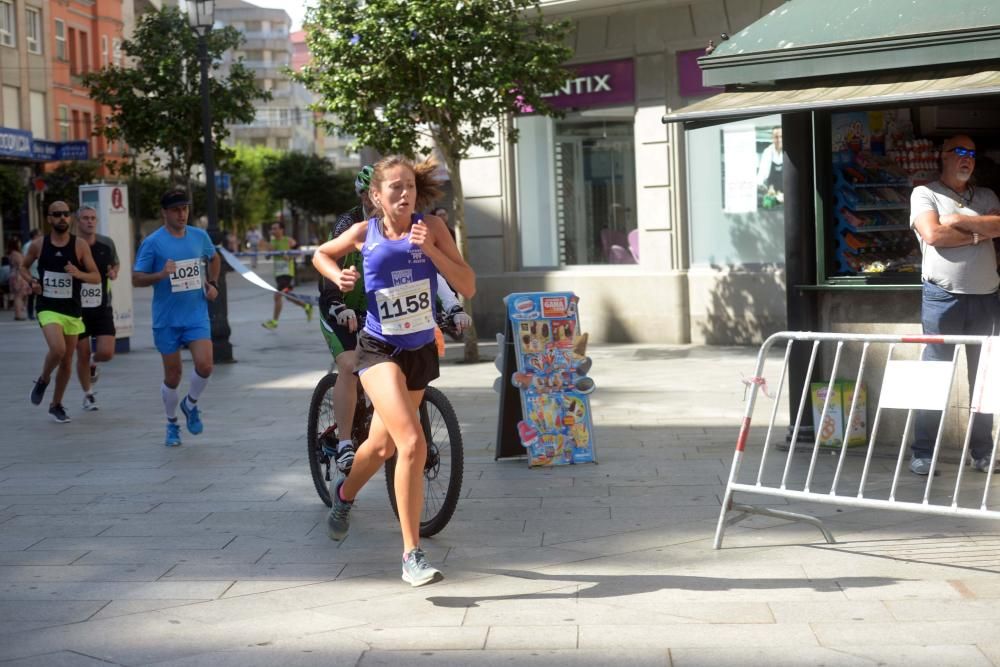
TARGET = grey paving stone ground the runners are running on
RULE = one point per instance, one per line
(117, 550)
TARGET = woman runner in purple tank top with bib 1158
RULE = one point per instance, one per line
(397, 356)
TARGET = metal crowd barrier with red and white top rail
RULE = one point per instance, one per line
(907, 384)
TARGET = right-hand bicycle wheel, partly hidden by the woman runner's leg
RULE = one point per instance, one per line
(444, 466)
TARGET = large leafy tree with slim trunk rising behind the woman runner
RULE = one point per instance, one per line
(395, 74)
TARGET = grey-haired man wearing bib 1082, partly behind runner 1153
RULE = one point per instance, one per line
(98, 316)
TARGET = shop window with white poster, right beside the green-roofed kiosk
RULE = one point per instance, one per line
(735, 193)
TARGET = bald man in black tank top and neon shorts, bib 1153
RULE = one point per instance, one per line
(64, 263)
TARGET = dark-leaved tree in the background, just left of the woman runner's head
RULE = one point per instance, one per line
(310, 187)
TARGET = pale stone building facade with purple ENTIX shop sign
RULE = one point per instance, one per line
(599, 201)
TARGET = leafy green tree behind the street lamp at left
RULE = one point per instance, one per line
(156, 100)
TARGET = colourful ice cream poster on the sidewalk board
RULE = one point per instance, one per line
(557, 428)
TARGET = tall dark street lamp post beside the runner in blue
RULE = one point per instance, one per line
(202, 19)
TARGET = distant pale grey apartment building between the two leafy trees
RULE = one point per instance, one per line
(285, 122)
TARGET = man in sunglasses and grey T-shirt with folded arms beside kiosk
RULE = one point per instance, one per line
(955, 222)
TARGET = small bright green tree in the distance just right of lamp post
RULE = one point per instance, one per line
(251, 202)
